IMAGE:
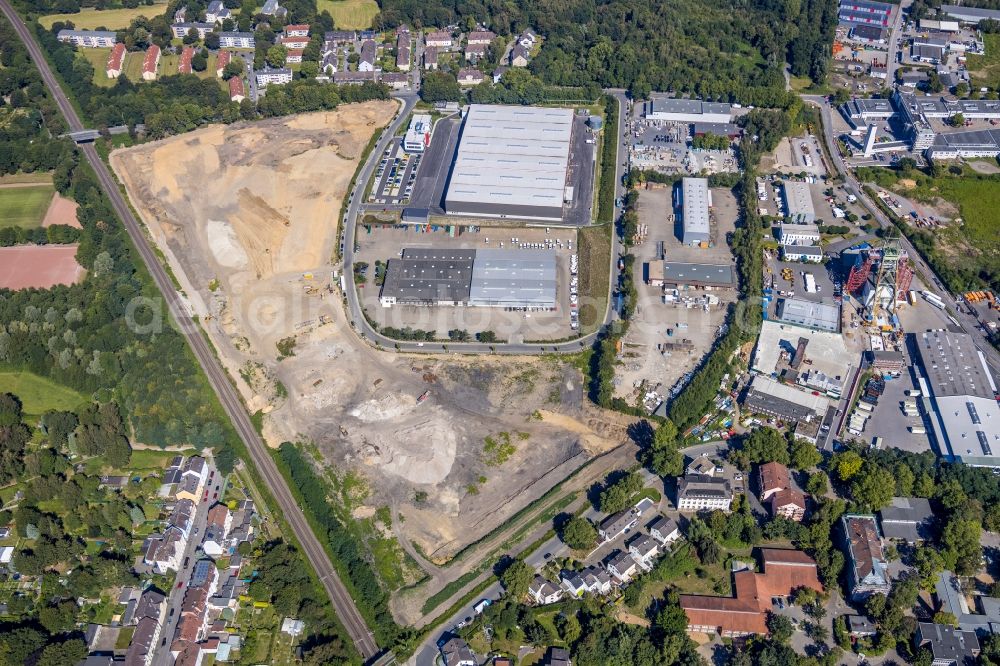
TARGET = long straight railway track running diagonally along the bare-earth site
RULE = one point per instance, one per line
(348, 613)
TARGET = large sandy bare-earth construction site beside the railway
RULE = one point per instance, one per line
(456, 447)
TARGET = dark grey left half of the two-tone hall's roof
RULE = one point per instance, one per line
(430, 276)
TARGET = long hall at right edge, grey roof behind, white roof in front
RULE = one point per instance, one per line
(965, 415)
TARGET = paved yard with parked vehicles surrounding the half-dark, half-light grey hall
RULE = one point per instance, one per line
(386, 242)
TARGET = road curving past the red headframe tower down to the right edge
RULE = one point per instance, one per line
(967, 322)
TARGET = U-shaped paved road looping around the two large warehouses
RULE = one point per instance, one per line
(357, 319)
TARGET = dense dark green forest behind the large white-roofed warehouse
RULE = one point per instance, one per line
(729, 50)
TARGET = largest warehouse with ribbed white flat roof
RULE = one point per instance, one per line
(512, 162)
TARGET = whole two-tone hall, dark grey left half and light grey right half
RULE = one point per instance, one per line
(475, 278)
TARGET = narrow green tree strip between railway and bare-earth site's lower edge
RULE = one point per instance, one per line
(348, 551)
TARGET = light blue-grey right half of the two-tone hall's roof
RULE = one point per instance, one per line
(522, 278)
